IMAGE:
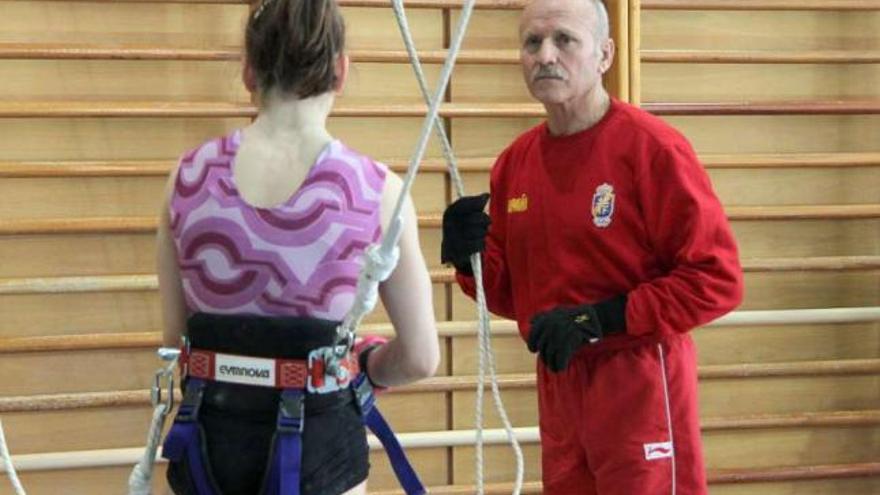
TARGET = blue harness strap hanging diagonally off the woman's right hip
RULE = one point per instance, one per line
(374, 420)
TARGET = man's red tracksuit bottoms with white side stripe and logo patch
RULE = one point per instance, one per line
(623, 422)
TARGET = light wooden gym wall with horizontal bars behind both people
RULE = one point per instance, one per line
(780, 98)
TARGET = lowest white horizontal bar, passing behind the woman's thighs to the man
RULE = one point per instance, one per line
(130, 456)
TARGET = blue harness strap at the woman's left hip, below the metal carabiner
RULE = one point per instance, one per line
(185, 438)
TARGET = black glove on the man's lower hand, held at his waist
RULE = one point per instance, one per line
(558, 333)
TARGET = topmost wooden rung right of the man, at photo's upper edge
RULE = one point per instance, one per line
(760, 4)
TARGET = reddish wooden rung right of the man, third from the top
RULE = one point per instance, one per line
(837, 107)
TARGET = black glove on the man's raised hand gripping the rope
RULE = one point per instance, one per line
(465, 226)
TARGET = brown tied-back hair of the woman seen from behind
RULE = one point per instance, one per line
(293, 45)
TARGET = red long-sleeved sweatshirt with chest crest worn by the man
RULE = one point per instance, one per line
(621, 207)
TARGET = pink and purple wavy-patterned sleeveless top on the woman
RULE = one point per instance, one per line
(301, 258)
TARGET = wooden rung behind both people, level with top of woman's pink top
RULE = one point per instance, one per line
(150, 168)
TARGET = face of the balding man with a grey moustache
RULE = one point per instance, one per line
(560, 57)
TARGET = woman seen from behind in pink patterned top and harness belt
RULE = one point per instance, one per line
(259, 249)
